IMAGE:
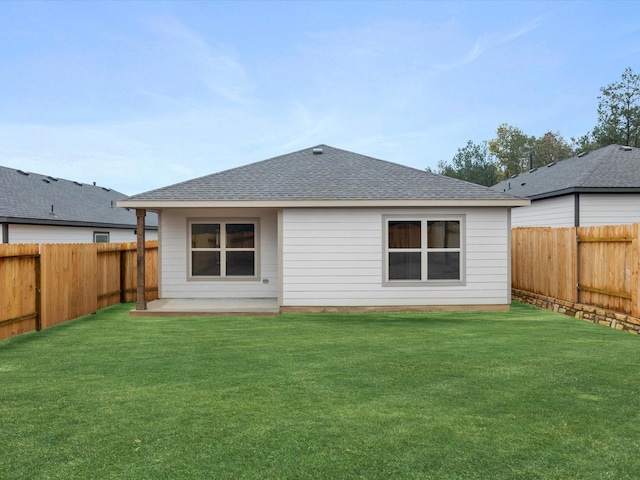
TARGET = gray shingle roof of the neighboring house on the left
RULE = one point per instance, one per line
(26, 196)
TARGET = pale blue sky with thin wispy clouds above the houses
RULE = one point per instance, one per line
(139, 95)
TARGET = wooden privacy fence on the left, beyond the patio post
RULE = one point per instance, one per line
(43, 285)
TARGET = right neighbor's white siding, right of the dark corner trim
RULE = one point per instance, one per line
(609, 209)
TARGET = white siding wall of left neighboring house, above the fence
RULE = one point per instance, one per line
(19, 233)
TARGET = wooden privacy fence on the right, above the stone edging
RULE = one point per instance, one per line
(587, 265)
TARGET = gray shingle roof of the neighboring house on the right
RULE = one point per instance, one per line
(611, 168)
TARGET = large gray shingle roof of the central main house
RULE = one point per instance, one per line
(334, 174)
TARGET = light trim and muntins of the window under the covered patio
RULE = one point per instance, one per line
(223, 221)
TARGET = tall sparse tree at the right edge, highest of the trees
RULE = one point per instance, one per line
(619, 112)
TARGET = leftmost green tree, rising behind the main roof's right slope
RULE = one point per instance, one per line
(472, 163)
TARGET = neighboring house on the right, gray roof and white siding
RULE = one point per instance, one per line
(601, 187)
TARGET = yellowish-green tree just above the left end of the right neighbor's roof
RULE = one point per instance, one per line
(511, 147)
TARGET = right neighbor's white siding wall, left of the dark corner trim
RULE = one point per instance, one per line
(548, 212)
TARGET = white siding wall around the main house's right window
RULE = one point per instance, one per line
(334, 257)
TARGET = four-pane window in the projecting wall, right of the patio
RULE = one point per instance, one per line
(423, 250)
